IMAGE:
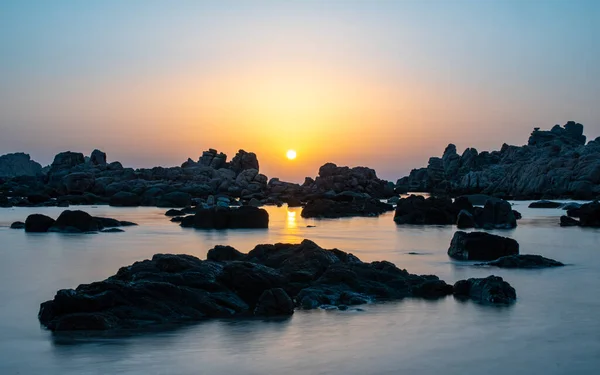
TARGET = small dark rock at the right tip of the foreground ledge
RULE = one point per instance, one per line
(490, 290)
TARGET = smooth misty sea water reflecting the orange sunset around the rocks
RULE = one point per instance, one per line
(552, 329)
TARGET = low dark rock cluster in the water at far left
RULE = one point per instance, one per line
(70, 222)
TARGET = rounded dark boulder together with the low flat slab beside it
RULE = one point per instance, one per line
(500, 251)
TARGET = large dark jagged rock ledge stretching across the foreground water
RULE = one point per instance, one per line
(269, 280)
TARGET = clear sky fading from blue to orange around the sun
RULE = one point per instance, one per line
(383, 84)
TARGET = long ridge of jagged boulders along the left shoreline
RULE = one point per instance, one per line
(75, 179)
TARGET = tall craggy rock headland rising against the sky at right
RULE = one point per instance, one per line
(554, 164)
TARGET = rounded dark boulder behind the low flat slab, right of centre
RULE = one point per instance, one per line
(481, 246)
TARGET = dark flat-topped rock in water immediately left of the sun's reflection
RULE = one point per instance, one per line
(228, 218)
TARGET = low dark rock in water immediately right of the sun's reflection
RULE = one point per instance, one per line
(327, 208)
